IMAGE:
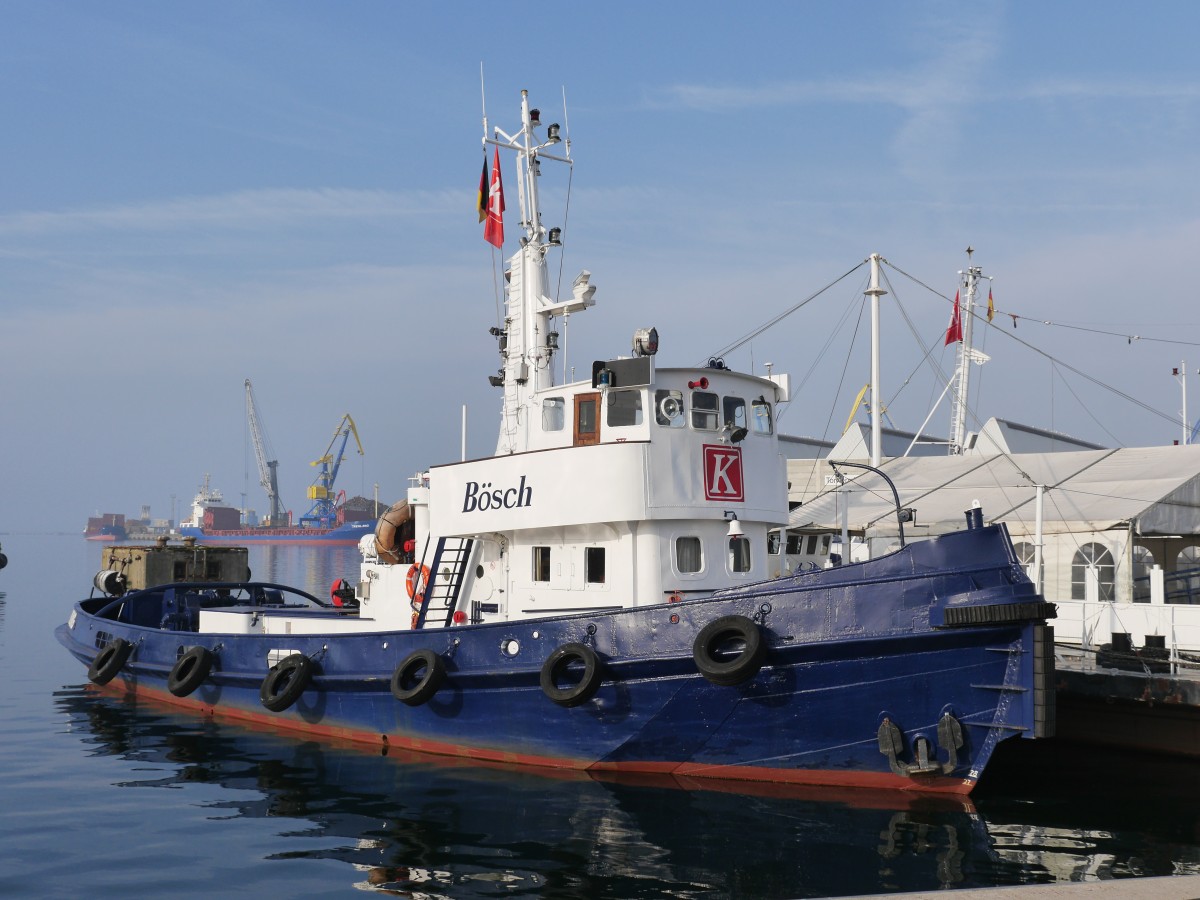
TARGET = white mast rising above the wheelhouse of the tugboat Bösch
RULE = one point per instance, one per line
(526, 346)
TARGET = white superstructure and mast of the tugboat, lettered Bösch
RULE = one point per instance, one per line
(638, 485)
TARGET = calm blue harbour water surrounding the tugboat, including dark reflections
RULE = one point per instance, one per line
(103, 797)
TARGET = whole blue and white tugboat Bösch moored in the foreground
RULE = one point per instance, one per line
(596, 595)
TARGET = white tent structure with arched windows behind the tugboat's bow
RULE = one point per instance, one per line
(1119, 531)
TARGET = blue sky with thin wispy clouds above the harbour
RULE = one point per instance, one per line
(196, 195)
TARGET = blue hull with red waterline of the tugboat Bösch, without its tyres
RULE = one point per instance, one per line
(903, 673)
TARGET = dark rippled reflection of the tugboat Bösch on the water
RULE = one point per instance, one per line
(411, 823)
